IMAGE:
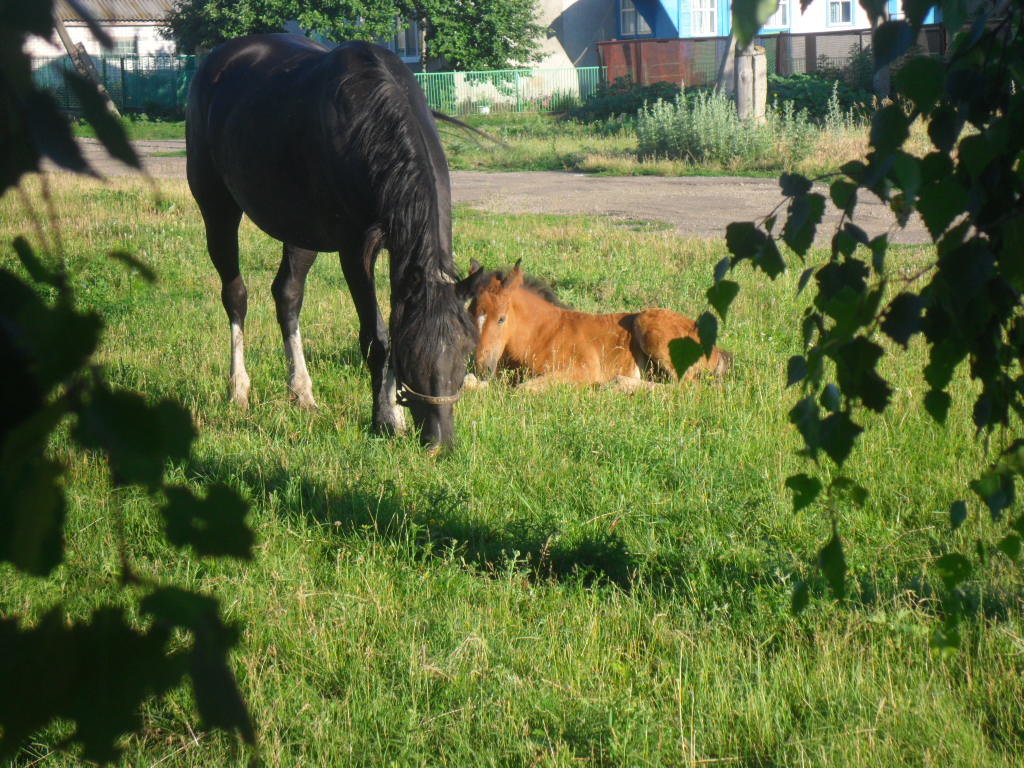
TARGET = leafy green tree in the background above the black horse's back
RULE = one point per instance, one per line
(475, 34)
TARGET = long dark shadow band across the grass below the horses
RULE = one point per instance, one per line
(444, 527)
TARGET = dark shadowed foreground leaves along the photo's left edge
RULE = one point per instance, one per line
(95, 672)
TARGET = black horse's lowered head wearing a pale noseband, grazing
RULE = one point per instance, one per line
(432, 339)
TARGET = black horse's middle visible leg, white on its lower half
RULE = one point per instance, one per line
(289, 288)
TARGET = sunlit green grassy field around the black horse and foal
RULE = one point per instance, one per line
(589, 579)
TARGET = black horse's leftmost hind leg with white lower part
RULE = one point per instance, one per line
(223, 243)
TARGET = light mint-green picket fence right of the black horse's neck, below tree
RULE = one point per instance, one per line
(509, 91)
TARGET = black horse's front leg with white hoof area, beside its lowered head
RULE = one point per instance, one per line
(358, 265)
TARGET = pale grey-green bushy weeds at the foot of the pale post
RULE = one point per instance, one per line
(704, 127)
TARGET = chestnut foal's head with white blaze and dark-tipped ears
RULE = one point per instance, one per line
(492, 310)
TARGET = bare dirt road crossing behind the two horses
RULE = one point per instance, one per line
(696, 206)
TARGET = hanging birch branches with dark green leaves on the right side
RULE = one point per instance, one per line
(964, 306)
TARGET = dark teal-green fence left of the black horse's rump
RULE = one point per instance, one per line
(158, 86)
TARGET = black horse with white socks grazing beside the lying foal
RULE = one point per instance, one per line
(335, 150)
